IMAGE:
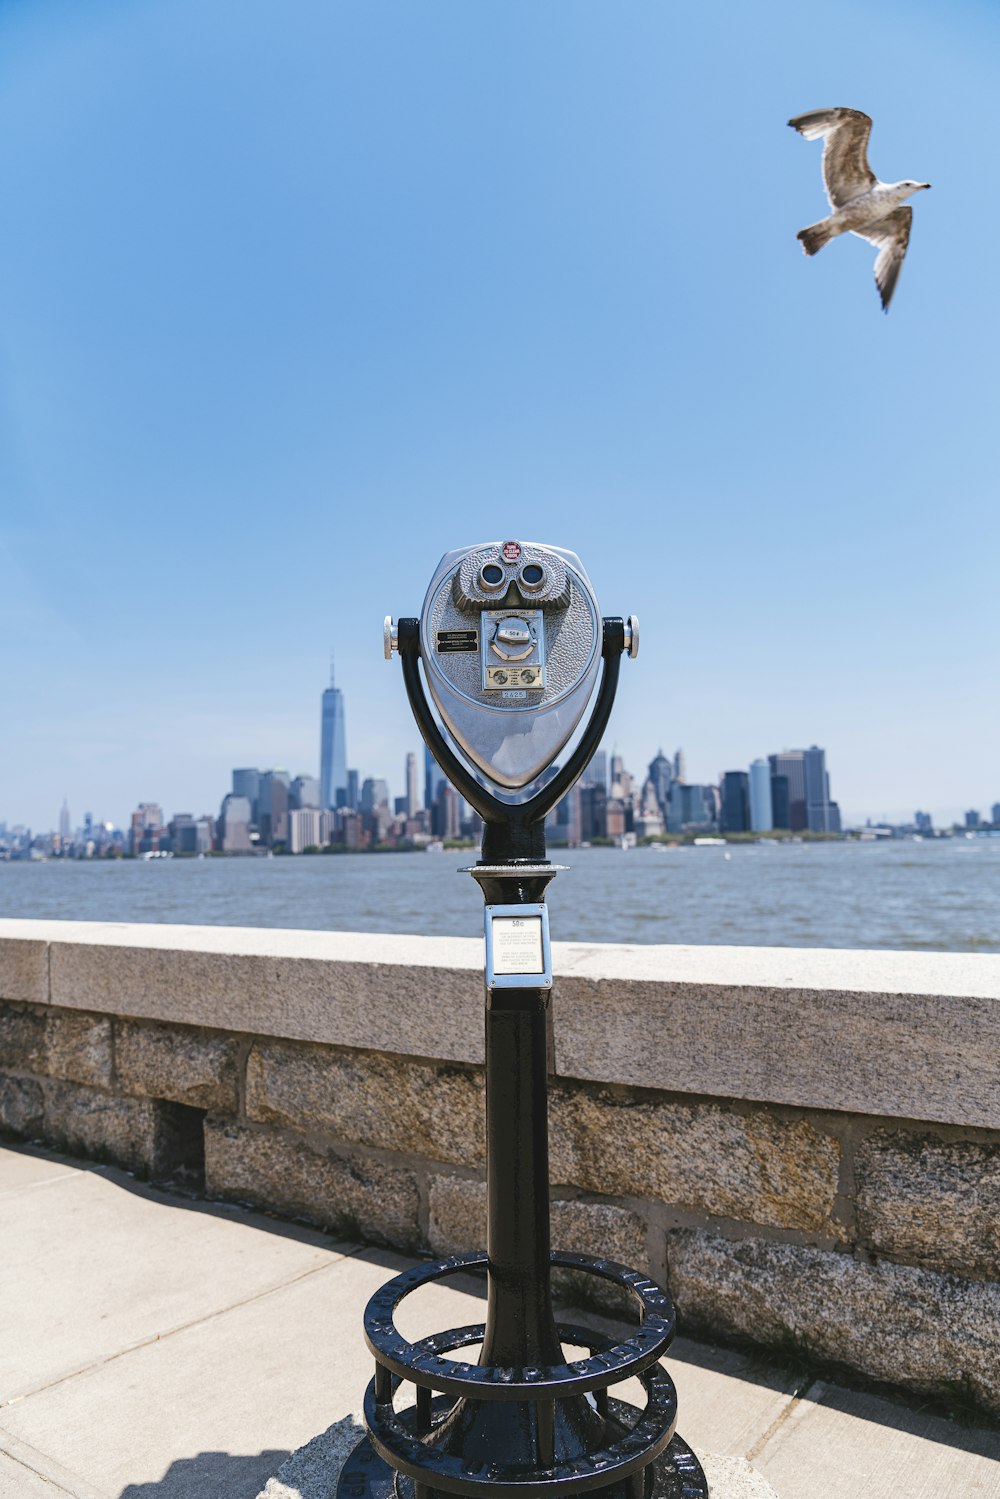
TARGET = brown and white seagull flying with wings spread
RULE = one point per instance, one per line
(873, 211)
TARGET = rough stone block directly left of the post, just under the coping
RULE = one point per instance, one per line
(425, 1110)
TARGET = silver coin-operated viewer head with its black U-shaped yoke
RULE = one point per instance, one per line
(512, 642)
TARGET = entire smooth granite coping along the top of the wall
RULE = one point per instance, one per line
(894, 1034)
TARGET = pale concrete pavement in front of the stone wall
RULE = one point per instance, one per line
(161, 1348)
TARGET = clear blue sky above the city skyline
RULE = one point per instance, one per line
(296, 298)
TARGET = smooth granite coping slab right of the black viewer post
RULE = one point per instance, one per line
(896, 1034)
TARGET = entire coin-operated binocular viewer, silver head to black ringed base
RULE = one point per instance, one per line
(512, 644)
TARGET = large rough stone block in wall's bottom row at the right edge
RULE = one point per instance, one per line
(906, 1326)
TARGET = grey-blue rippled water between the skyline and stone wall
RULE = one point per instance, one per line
(908, 896)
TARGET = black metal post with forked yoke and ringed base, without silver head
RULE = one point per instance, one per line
(522, 1423)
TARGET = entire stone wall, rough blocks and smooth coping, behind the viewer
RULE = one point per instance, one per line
(804, 1146)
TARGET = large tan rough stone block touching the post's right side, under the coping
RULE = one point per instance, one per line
(698, 1156)
